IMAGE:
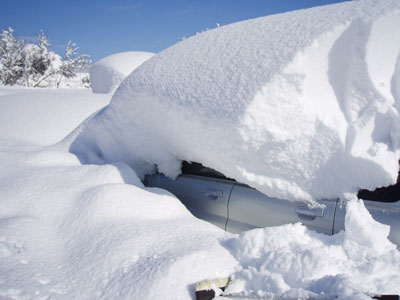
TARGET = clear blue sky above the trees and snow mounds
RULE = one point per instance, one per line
(101, 28)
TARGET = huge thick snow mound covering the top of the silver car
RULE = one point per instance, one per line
(302, 105)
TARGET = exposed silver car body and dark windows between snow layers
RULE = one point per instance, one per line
(236, 207)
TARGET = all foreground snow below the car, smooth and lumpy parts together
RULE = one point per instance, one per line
(73, 231)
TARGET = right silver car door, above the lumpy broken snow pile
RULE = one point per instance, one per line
(248, 208)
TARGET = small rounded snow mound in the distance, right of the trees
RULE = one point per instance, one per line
(109, 72)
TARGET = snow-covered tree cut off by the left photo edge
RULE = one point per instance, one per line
(11, 58)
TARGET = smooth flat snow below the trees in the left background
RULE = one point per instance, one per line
(42, 116)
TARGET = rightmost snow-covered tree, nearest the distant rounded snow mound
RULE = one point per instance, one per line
(71, 62)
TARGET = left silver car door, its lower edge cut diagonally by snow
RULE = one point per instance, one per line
(205, 197)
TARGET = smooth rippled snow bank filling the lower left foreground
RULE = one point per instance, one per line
(69, 231)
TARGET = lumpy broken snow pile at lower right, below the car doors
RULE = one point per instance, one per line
(291, 262)
